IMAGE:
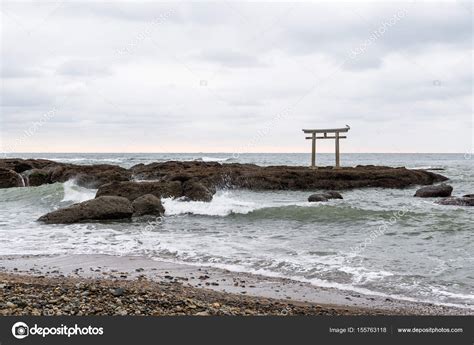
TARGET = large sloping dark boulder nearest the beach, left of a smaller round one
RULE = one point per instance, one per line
(100, 209)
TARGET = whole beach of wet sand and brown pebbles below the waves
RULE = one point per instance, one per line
(110, 285)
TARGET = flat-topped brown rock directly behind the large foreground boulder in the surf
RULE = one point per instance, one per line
(132, 190)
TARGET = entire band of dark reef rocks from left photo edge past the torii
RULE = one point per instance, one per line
(214, 175)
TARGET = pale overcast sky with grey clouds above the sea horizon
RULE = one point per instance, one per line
(235, 76)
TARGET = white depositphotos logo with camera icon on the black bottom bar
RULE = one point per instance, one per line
(21, 330)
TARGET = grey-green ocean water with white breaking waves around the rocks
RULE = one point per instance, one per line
(378, 241)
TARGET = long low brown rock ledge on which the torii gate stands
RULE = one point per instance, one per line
(286, 177)
